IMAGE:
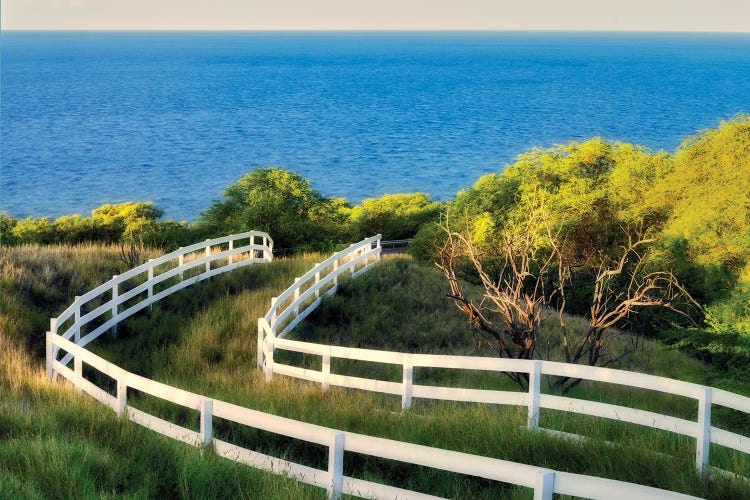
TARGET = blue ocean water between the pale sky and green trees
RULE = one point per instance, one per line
(89, 118)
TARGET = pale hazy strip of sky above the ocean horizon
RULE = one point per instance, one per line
(652, 15)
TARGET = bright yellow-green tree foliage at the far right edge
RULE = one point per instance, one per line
(708, 230)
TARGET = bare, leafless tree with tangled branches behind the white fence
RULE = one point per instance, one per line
(529, 282)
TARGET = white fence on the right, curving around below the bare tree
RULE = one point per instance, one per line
(293, 305)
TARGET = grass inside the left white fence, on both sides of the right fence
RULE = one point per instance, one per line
(205, 341)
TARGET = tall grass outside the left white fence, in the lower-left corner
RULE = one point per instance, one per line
(57, 444)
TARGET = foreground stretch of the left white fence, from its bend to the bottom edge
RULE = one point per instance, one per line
(543, 481)
